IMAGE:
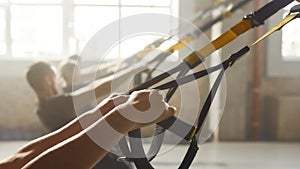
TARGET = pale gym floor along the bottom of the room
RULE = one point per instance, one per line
(224, 155)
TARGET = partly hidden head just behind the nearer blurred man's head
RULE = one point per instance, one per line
(67, 72)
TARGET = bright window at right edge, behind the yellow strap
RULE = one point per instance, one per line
(283, 54)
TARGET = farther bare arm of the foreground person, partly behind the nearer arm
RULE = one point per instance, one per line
(37, 146)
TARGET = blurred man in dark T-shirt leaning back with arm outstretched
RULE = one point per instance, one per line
(56, 108)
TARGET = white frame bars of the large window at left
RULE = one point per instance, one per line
(68, 7)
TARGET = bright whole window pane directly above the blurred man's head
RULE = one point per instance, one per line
(36, 31)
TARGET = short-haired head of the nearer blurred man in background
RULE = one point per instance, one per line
(42, 77)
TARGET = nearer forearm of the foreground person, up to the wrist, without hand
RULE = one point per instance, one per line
(86, 148)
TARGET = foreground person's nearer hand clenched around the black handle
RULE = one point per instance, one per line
(142, 108)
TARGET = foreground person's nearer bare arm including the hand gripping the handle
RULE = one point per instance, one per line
(82, 152)
